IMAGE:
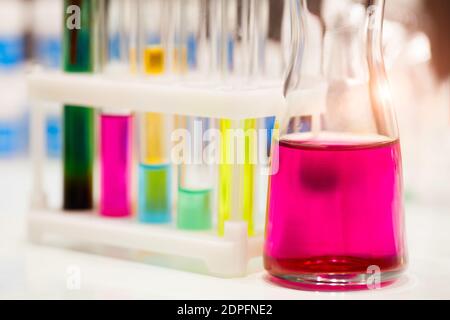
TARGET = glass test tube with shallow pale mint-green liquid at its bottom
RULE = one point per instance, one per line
(195, 183)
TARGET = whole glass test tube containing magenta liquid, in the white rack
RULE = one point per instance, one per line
(116, 128)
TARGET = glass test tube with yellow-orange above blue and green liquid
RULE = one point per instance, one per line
(155, 173)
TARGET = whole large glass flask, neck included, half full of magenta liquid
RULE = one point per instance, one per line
(335, 206)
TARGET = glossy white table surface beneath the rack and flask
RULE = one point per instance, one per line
(37, 272)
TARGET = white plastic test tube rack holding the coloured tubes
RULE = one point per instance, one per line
(226, 256)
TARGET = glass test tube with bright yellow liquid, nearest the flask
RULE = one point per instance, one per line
(236, 180)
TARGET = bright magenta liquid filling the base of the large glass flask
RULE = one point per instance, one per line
(335, 211)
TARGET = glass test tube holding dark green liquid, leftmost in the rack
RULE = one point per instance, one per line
(78, 121)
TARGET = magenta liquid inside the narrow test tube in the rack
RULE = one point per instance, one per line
(116, 165)
